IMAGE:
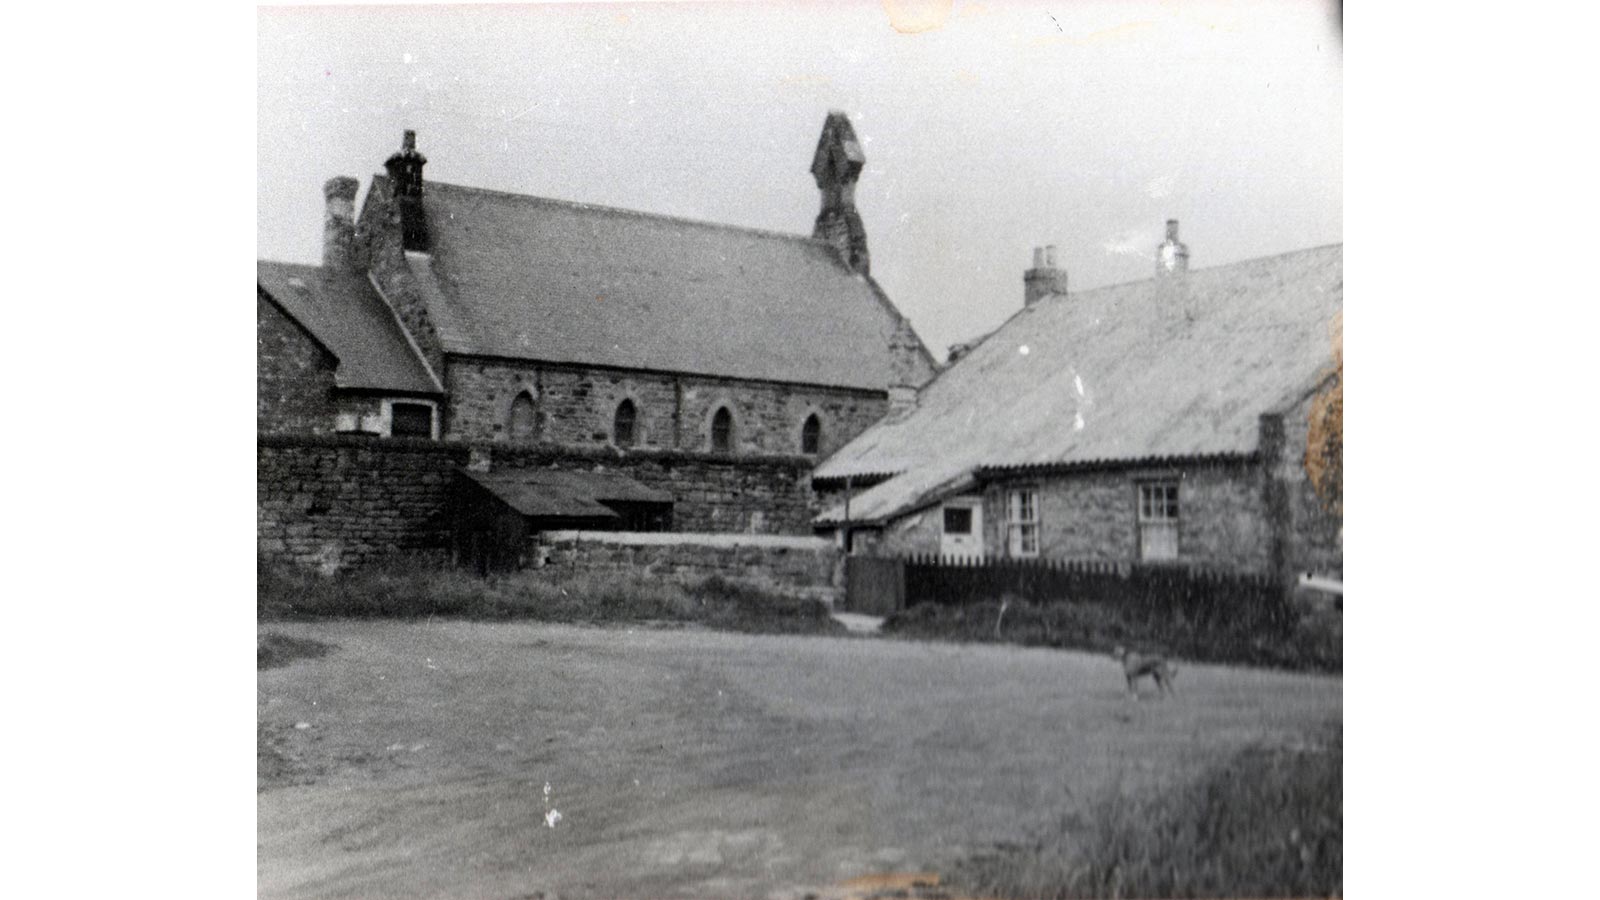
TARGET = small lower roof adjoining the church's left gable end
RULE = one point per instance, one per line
(345, 313)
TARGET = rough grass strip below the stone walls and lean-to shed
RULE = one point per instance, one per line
(404, 592)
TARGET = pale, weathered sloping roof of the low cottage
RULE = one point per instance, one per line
(1143, 371)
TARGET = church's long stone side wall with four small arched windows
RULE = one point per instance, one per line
(577, 406)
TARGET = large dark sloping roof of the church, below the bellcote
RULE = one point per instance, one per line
(526, 278)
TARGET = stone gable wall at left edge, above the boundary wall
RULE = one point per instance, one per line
(294, 376)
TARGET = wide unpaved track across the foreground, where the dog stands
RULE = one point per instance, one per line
(703, 765)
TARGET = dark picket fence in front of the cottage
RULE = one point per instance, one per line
(1154, 593)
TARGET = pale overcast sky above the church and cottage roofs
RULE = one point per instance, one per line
(1002, 127)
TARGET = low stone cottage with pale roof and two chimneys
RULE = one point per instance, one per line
(1159, 422)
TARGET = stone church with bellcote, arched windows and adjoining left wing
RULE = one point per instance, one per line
(476, 316)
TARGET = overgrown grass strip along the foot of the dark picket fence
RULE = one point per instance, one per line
(1314, 646)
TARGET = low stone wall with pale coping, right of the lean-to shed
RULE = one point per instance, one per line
(810, 568)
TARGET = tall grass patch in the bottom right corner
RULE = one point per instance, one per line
(1266, 824)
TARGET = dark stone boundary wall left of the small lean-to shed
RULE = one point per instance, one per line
(342, 502)
